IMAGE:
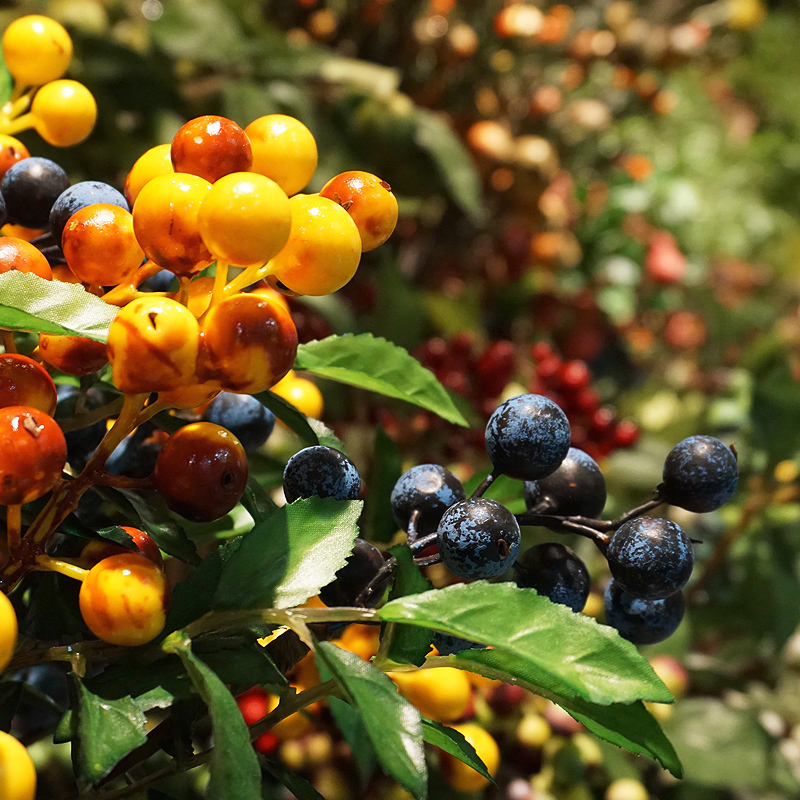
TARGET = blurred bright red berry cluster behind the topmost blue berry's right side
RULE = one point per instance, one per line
(596, 428)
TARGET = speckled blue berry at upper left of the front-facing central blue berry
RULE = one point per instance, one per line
(431, 490)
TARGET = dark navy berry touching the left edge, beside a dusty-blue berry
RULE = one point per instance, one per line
(30, 187)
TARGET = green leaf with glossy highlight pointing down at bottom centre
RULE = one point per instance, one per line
(394, 726)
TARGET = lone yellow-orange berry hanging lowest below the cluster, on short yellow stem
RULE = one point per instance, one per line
(124, 600)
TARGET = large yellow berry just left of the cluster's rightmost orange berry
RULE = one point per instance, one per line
(323, 250)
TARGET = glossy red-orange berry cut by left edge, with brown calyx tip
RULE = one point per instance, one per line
(33, 452)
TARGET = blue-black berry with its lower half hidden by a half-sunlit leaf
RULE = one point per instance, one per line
(320, 471)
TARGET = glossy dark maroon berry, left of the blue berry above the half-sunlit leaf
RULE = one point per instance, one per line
(201, 471)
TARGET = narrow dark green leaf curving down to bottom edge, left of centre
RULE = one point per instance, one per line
(234, 764)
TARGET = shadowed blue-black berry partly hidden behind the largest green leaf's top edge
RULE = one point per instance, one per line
(555, 572)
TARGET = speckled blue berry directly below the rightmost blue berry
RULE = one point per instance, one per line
(651, 557)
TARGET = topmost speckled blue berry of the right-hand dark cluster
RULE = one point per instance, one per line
(527, 437)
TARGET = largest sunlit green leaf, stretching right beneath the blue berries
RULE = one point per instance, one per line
(572, 654)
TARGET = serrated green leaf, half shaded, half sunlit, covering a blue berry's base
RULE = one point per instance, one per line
(290, 557)
